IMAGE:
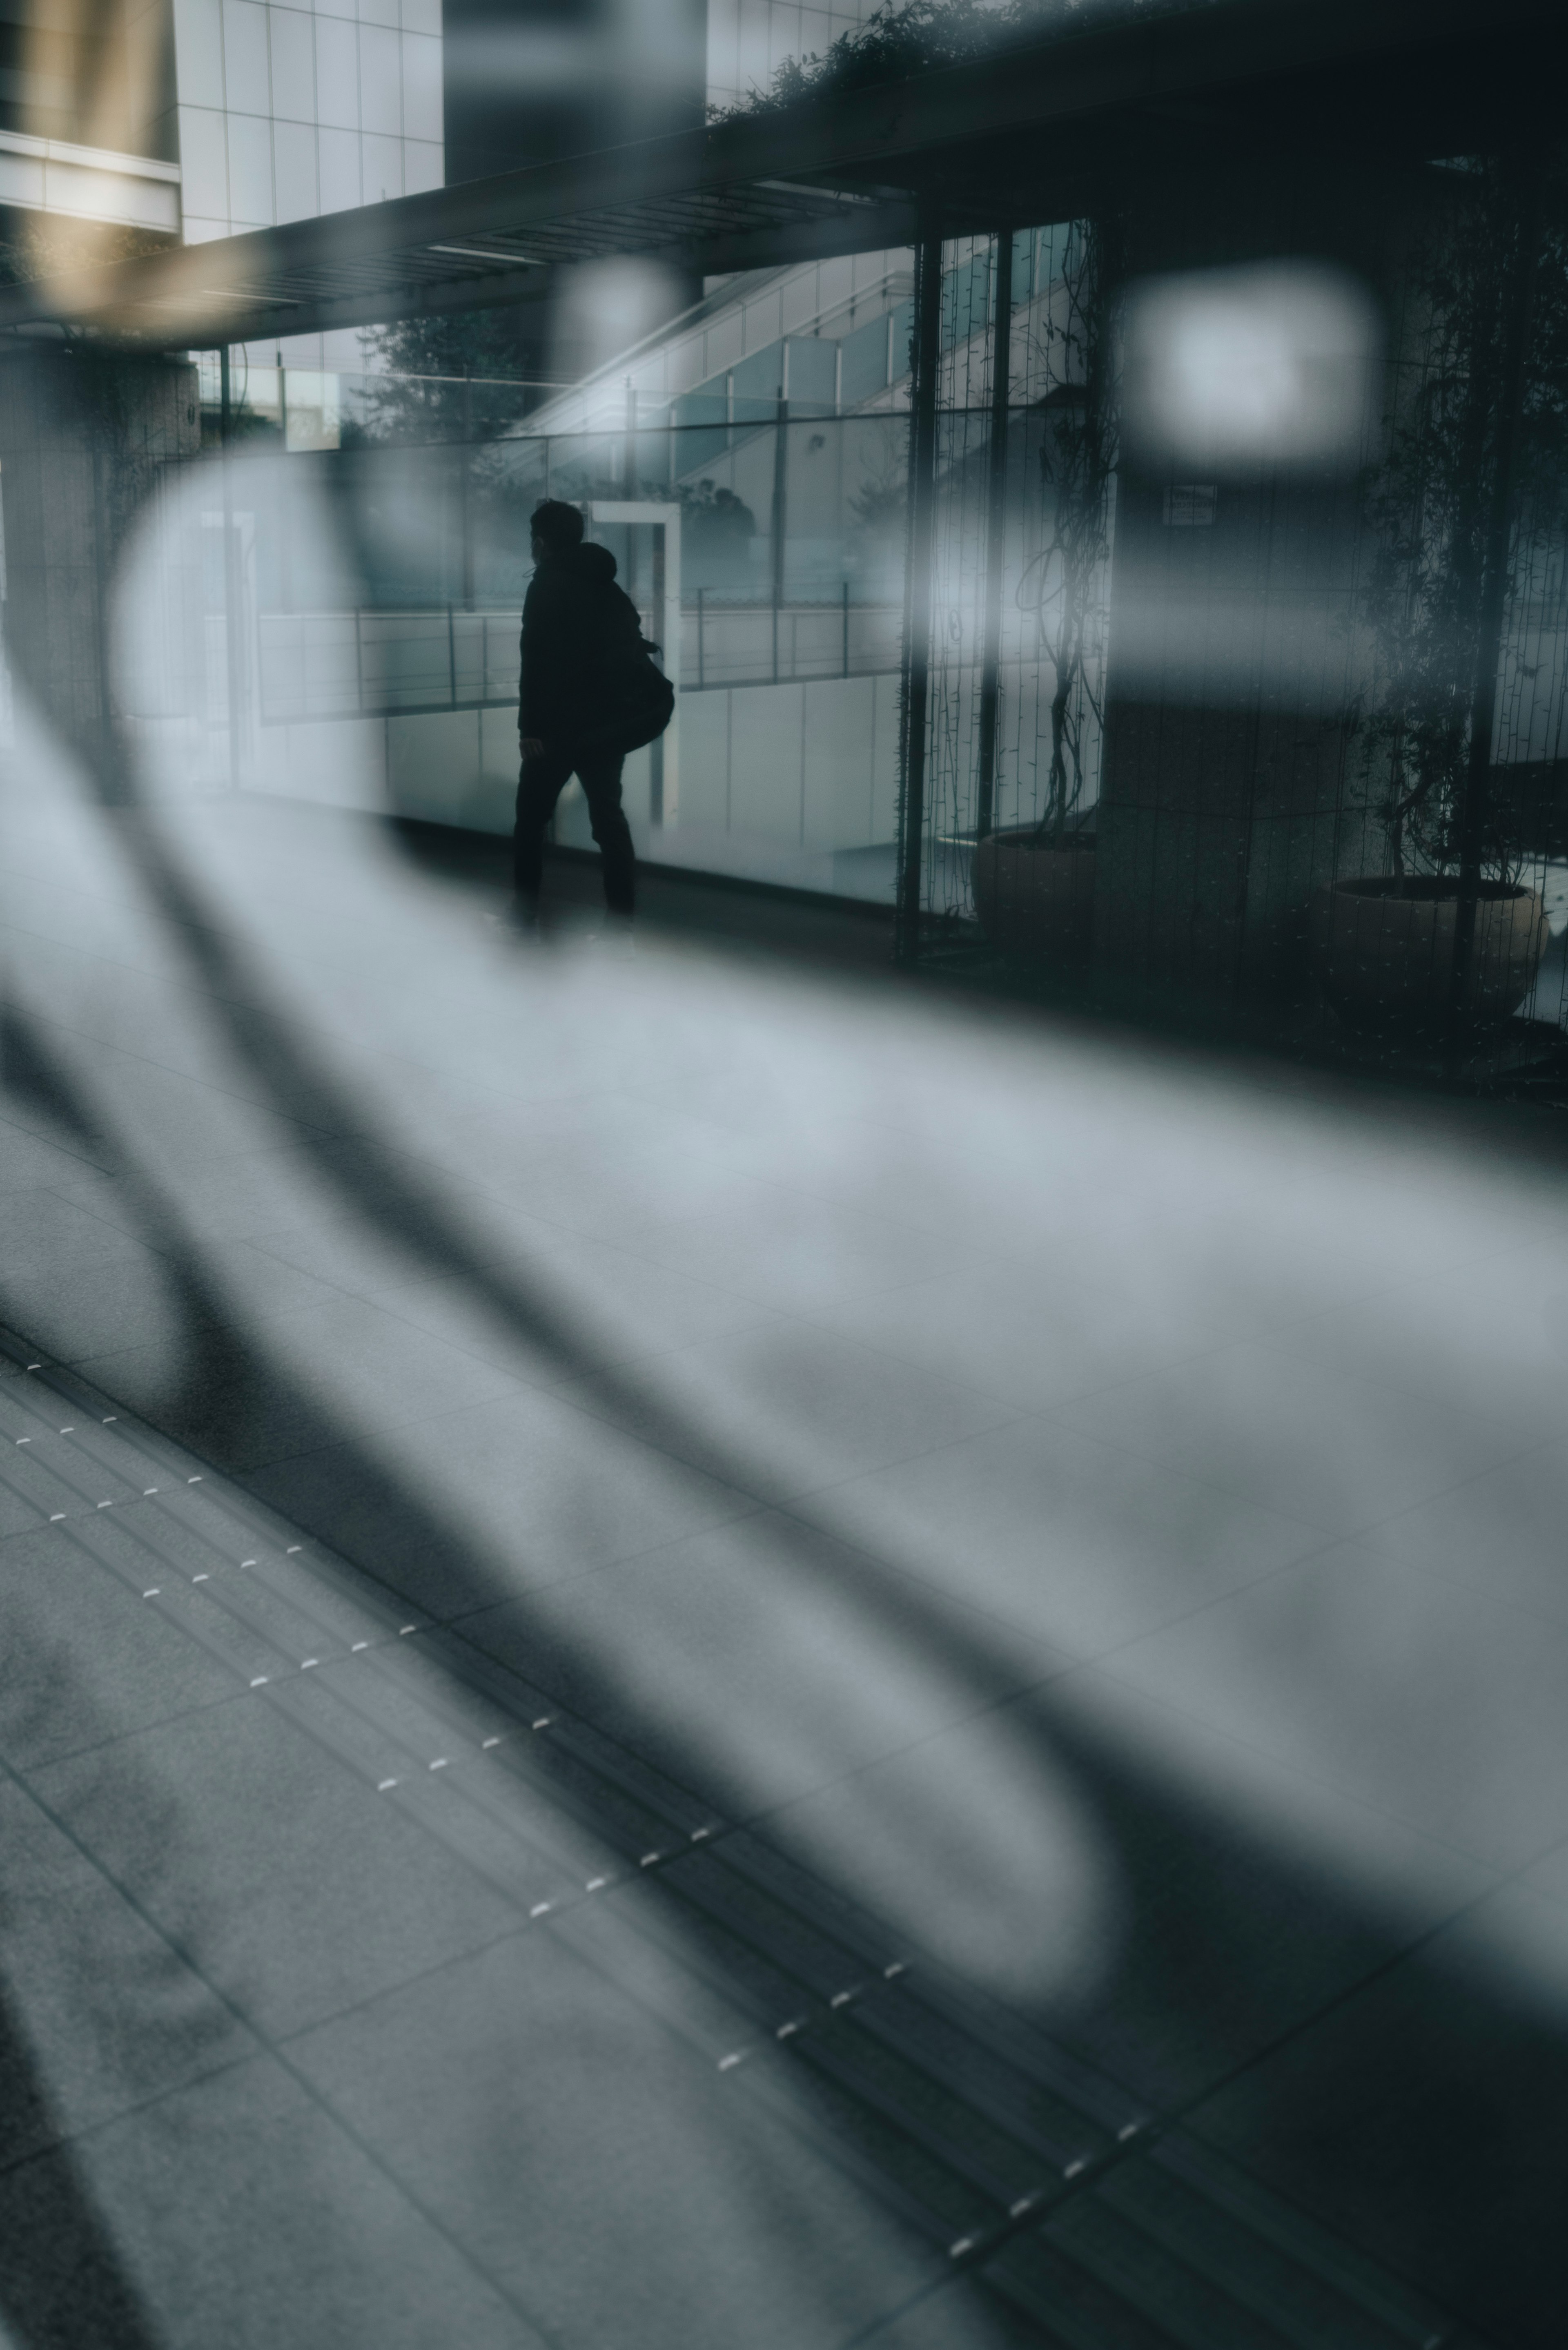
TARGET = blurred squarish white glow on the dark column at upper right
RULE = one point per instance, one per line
(1249, 368)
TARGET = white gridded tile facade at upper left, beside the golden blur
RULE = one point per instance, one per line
(290, 112)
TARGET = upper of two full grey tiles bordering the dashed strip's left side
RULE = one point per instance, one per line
(288, 1881)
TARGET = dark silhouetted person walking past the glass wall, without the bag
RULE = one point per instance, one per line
(577, 633)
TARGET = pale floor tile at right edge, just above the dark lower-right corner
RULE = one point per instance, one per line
(1414, 1696)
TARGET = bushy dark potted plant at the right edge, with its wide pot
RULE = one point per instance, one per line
(1466, 499)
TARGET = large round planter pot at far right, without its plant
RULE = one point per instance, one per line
(1386, 951)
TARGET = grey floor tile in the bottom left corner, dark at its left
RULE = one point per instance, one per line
(236, 2213)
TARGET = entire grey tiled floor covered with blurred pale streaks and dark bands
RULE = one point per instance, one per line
(721, 1653)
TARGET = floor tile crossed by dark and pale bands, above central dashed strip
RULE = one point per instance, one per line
(760, 1660)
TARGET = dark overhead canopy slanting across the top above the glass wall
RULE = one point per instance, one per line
(1038, 130)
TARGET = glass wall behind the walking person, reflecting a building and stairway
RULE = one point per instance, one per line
(775, 419)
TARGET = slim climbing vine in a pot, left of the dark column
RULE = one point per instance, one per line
(1036, 885)
